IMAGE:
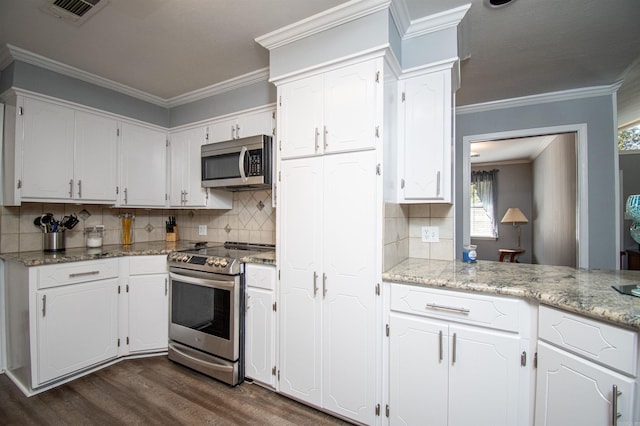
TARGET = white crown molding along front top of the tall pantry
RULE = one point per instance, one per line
(322, 21)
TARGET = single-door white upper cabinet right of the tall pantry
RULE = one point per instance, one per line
(422, 169)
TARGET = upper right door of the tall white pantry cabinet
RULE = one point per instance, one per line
(350, 105)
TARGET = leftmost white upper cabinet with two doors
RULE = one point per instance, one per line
(67, 155)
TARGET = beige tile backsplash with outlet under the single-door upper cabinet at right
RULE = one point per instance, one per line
(402, 232)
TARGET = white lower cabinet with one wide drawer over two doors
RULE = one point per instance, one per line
(451, 362)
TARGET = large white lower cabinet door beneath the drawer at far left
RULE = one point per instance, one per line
(77, 326)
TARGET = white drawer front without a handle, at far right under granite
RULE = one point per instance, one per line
(600, 342)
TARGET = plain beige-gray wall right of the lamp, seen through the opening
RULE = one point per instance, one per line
(554, 203)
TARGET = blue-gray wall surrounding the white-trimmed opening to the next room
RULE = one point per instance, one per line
(597, 113)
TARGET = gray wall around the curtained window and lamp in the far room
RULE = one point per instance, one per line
(515, 189)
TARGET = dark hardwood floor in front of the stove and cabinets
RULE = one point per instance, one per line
(153, 391)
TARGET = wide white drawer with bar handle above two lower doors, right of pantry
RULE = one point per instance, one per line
(486, 311)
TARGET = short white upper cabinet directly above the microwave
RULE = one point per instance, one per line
(241, 126)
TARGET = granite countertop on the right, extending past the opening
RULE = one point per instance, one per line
(585, 292)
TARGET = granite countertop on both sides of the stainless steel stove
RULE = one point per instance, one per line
(37, 258)
